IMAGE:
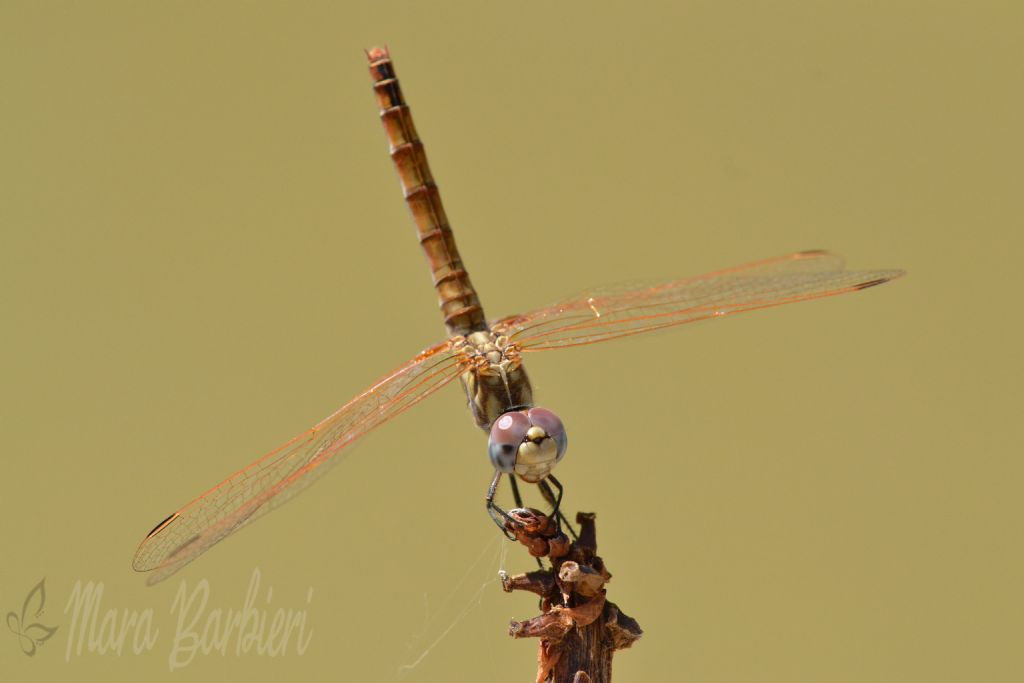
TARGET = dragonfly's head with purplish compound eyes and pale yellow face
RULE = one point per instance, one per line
(528, 443)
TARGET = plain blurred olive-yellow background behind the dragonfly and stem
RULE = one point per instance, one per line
(205, 250)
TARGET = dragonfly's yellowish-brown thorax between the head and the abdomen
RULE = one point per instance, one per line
(495, 379)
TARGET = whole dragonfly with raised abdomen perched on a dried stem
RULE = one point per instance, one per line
(526, 441)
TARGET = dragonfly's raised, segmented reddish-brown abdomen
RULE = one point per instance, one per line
(459, 304)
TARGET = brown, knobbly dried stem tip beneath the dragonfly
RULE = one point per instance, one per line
(579, 628)
